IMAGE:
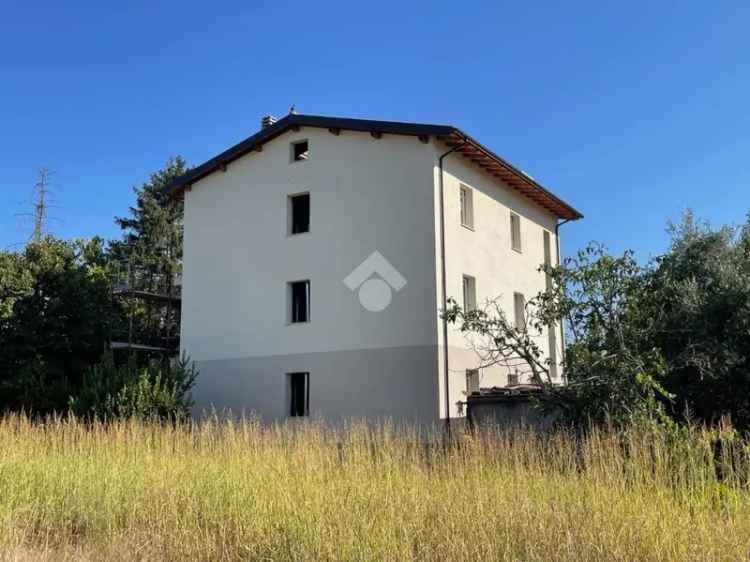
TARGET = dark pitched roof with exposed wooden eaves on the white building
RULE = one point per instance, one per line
(451, 136)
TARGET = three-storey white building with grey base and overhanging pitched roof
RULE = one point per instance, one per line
(279, 314)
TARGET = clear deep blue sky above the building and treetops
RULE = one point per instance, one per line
(631, 111)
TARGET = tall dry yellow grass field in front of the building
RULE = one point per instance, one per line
(221, 491)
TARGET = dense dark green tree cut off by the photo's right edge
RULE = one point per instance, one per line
(699, 299)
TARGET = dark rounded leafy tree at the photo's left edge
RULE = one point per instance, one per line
(55, 318)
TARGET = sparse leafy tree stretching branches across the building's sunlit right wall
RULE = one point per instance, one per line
(612, 370)
